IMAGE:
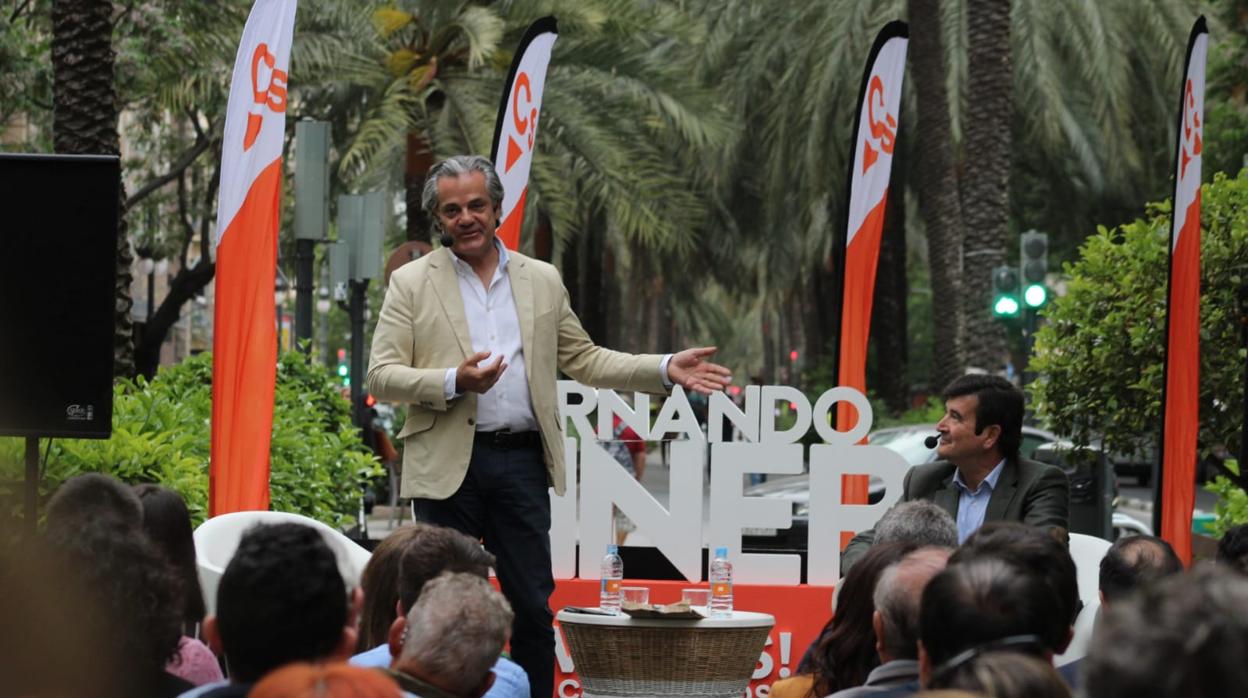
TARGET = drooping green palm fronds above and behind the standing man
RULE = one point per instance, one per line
(610, 179)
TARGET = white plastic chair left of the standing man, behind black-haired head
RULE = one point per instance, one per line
(218, 539)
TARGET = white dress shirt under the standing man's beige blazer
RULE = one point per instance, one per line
(495, 327)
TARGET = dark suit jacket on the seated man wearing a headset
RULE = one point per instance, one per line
(1028, 491)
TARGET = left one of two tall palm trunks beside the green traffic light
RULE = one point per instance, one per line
(938, 192)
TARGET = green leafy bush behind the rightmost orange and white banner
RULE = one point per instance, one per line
(1100, 356)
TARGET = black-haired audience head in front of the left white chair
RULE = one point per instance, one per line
(281, 600)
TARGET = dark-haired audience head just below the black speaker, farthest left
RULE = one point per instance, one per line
(97, 500)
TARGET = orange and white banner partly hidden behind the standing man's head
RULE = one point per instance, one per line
(517, 127)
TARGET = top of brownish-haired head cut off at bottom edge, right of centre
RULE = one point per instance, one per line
(1004, 675)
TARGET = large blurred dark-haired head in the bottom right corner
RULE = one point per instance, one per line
(1184, 637)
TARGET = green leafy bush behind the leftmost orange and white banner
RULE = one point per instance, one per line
(162, 433)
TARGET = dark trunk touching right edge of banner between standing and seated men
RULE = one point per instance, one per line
(889, 312)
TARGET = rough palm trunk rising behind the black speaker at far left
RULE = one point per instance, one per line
(85, 122)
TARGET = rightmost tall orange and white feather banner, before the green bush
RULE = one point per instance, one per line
(1181, 405)
